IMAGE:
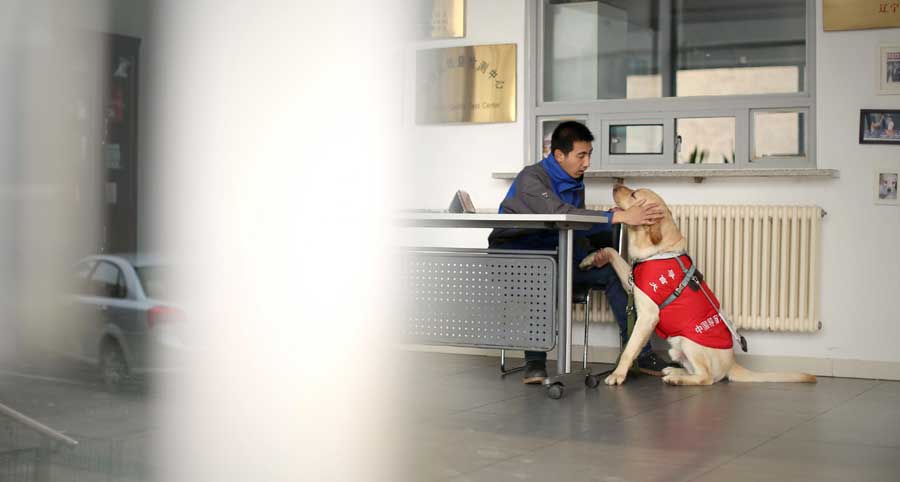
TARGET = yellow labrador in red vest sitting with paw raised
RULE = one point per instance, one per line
(699, 339)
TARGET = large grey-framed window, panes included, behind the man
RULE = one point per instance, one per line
(677, 84)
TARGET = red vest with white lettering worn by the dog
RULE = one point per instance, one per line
(690, 315)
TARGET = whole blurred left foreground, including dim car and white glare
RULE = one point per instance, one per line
(176, 180)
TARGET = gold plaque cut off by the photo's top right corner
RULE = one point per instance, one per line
(860, 14)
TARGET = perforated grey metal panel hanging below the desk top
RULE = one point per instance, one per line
(481, 300)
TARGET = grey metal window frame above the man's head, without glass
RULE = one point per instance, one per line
(666, 110)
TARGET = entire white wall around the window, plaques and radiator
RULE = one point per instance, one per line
(860, 274)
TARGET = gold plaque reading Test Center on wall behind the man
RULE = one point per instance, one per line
(466, 84)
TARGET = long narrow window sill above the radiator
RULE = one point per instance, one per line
(697, 174)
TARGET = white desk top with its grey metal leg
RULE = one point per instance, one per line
(565, 224)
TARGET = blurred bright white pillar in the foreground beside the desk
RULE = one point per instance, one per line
(272, 124)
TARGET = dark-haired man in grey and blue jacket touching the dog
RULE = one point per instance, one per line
(556, 186)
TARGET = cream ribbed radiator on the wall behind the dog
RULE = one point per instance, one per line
(762, 262)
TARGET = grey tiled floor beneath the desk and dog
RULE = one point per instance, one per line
(465, 423)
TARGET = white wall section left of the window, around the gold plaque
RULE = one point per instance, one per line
(447, 158)
